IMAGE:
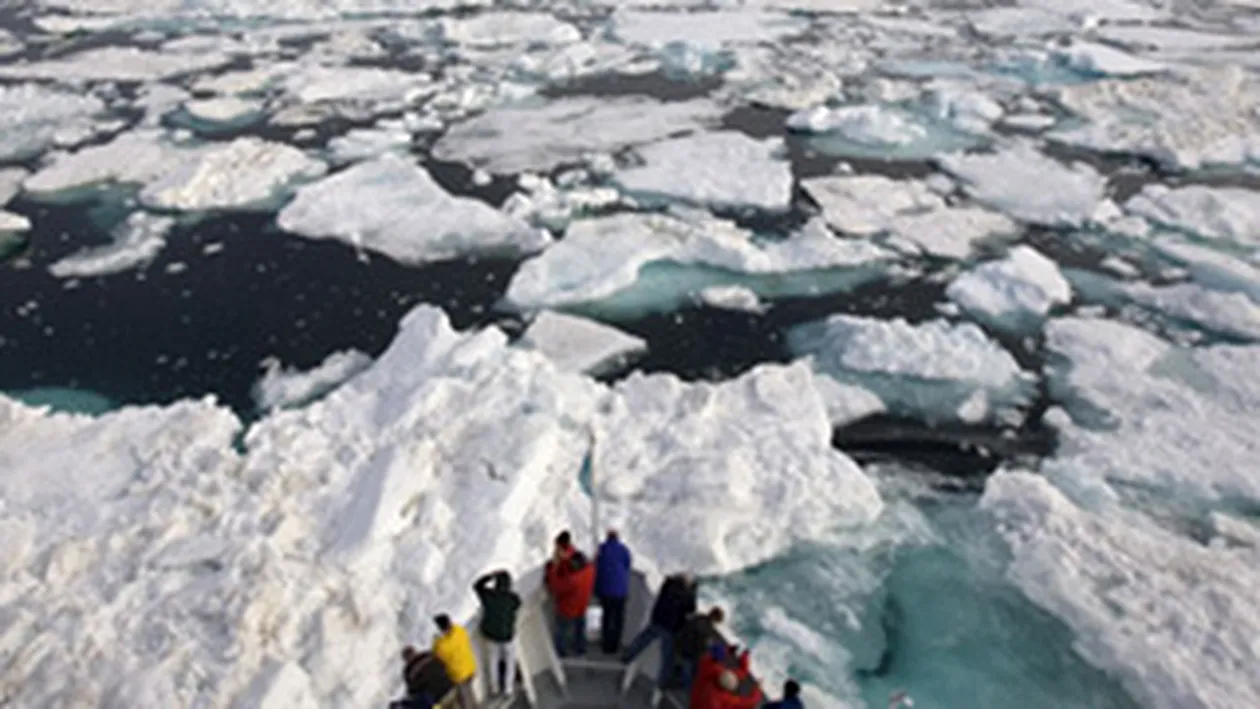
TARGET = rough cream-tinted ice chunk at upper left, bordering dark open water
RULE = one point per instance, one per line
(246, 173)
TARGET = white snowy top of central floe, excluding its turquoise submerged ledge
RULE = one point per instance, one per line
(600, 258)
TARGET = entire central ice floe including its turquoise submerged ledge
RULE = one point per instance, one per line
(627, 265)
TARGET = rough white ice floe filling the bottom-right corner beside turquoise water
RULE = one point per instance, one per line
(1175, 620)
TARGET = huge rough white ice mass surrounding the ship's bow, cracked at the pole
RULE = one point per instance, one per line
(289, 574)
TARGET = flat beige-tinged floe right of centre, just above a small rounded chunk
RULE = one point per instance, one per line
(908, 212)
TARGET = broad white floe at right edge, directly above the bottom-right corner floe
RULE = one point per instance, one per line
(1150, 414)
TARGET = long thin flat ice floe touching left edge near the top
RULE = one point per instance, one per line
(115, 64)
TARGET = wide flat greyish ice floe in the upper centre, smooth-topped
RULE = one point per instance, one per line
(513, 140)
